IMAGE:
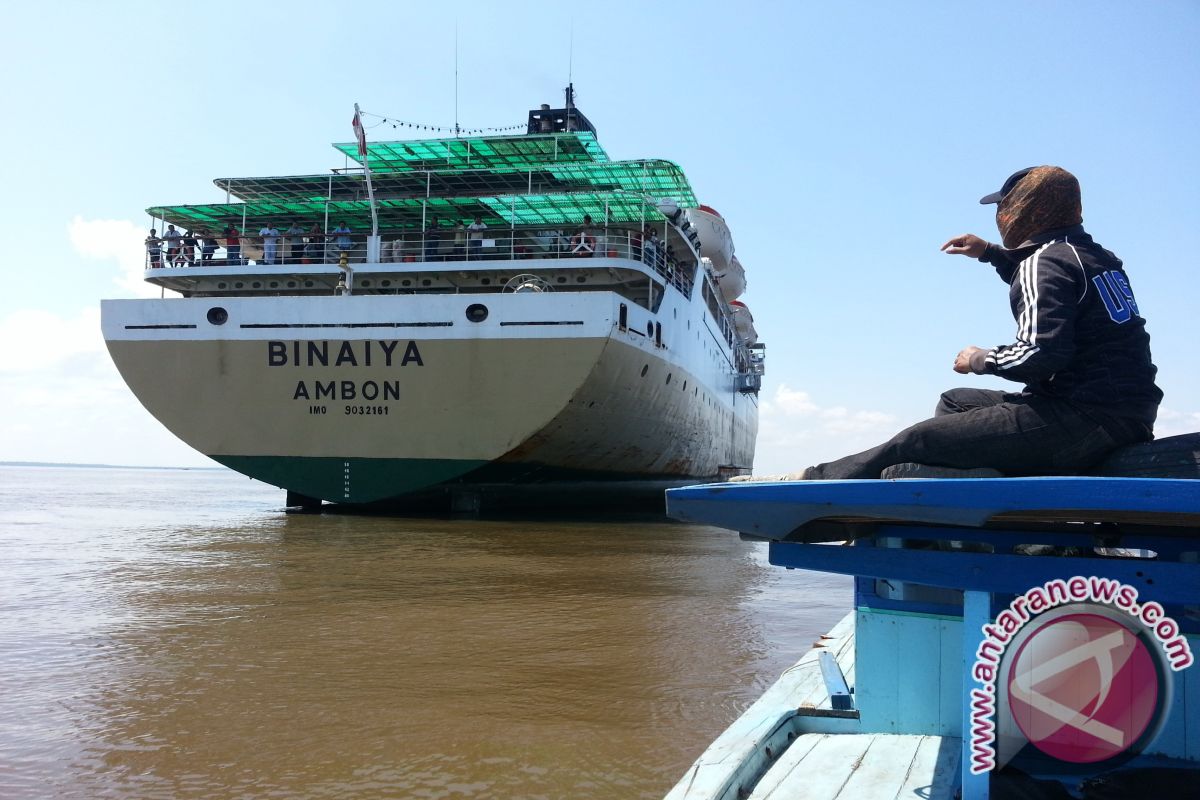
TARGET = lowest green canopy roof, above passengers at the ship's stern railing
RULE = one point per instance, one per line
(554, 210)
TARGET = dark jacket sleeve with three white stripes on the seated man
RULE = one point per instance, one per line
(1045, 297)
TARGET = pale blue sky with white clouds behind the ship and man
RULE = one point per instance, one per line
(843, 142)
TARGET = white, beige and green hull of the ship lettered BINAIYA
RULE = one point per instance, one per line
(376, 399)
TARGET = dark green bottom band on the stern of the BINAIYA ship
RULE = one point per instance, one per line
(350, 480)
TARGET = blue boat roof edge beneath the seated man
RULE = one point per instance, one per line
(779, 510)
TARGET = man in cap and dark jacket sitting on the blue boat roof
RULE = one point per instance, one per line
(1082, 351)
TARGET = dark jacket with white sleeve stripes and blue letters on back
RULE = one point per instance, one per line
(1081, 336)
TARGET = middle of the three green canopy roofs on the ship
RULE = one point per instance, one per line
(655, 178)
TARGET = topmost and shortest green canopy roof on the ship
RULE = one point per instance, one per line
(483, 153)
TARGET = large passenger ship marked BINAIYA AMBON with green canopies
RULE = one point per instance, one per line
(453, 321)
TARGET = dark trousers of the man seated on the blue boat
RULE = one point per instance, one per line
(1016, 434)
